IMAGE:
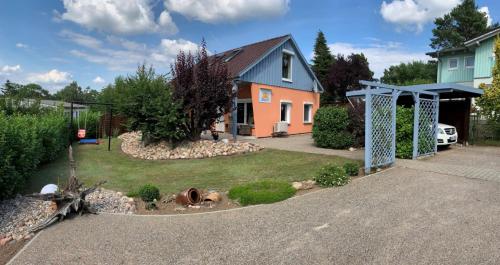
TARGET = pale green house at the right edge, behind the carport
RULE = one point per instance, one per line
(470, 64)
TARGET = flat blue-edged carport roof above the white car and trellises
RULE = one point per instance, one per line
(445, 90)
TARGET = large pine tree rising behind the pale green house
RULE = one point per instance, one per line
(463, 23)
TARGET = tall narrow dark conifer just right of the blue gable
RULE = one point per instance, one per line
(323, 59)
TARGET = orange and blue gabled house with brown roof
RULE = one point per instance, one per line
(275, 88)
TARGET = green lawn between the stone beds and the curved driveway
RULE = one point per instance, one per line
(123, 173)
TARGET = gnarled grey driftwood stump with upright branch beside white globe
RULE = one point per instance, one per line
(70, 200)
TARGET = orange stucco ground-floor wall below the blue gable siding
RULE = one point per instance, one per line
(267, 114)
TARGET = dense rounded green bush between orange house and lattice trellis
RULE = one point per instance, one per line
(330, 128)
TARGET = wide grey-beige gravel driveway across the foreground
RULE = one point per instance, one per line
(399, 216)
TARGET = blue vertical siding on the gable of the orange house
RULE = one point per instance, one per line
(268, 70)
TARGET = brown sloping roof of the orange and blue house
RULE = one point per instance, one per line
(241, 58)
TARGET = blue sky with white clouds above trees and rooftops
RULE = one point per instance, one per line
(54, 42)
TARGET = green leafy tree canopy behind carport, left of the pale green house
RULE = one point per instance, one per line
(413, 73)
